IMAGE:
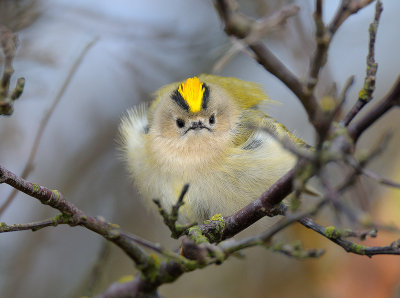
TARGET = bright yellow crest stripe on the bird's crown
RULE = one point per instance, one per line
(192, 91)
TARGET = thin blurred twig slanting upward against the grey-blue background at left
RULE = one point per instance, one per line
(43, 123)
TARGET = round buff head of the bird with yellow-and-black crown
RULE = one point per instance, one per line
(192, 124)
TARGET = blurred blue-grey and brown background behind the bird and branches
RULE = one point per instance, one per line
(140, 46)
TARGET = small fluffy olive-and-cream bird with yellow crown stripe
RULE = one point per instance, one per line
(205, 131)
